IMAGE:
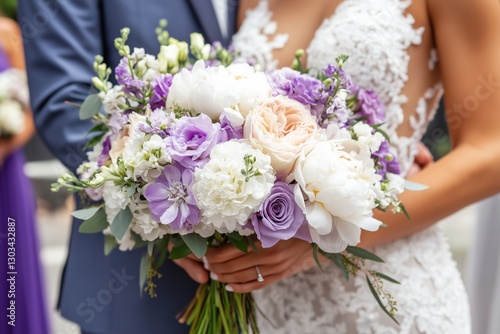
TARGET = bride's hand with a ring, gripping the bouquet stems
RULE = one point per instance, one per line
(229, 265)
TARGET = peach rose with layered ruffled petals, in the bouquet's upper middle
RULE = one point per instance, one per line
(280, 127)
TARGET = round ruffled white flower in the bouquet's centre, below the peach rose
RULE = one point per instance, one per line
(225, 196)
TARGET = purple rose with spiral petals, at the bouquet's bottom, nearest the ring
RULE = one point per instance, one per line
(279, 217)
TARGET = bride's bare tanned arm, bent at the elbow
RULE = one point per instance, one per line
(467, 35)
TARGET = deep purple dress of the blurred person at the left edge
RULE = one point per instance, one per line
(22, 301)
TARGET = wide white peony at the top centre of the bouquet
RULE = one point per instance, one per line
(209, 90)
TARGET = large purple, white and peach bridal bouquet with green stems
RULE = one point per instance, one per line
(193, 153)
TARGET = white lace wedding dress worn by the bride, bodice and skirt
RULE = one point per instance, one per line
(379, 36)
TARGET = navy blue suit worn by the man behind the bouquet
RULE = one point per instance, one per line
(61, 38)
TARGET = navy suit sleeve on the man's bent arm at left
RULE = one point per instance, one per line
(61, 39)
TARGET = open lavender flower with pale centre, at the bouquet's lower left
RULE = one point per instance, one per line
(171, 201)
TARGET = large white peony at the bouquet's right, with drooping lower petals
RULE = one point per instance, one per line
(337, 191)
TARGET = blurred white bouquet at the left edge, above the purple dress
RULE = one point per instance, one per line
(13, 99)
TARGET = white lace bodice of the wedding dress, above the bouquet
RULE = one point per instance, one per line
(376, 35)
